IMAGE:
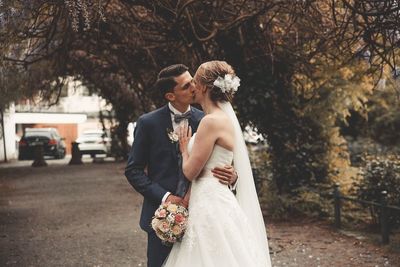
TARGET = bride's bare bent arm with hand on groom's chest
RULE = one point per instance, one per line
(206, 137)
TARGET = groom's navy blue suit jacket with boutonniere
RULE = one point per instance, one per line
(153, 148)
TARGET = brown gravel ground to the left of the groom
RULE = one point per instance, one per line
(69, 216)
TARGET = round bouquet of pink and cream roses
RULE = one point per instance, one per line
(169, 222)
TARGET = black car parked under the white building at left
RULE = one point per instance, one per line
(51, 140)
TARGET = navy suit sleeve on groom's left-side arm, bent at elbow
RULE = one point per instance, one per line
(138, 160)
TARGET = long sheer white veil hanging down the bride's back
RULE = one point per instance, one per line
(246, 191)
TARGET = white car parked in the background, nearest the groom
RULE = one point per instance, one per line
(93, 142)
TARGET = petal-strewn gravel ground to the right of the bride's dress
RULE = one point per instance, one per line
(315, 243)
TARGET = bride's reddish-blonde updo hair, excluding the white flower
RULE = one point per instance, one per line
(208, 72)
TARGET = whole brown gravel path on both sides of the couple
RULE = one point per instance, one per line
(88, 216)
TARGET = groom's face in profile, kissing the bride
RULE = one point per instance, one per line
(183, 91)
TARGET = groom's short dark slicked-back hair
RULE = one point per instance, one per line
(165, 80)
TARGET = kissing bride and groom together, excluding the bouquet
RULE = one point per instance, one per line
(169, 164)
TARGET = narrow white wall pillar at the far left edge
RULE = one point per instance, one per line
(9, 138)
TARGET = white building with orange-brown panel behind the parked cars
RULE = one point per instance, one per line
(77, 110)
